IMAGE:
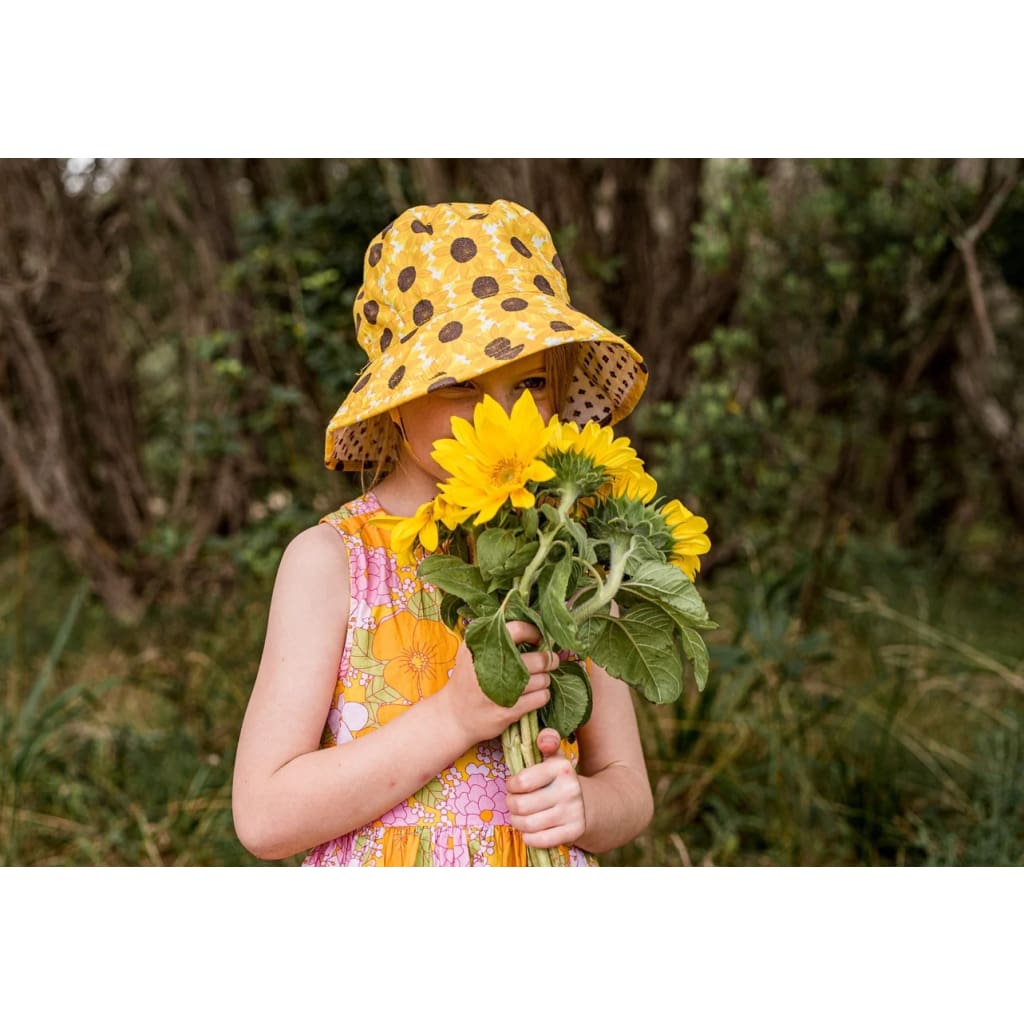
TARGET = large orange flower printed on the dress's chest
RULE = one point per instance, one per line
(416, 653)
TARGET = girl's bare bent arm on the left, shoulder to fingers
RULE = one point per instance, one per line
(288, 795)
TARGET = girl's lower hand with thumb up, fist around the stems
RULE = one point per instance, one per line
(545, 801)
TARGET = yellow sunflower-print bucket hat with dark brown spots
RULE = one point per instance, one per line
(452, 291)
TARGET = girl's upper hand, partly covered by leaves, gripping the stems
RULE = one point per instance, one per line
(479, 716)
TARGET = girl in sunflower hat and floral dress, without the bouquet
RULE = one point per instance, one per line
(367, 738)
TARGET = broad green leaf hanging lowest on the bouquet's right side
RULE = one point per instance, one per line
(637, 653)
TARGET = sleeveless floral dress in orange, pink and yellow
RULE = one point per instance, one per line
(397, 653)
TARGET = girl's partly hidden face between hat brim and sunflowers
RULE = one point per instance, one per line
(430, 419)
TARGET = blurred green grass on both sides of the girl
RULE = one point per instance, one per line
(888, 733)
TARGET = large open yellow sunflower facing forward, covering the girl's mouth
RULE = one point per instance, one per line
(492, 460)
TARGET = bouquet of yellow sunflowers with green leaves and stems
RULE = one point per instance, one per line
(550, 524)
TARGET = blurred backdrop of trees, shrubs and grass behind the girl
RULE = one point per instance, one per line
(837, 351)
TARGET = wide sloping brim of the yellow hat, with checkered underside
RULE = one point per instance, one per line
(461, 345)
